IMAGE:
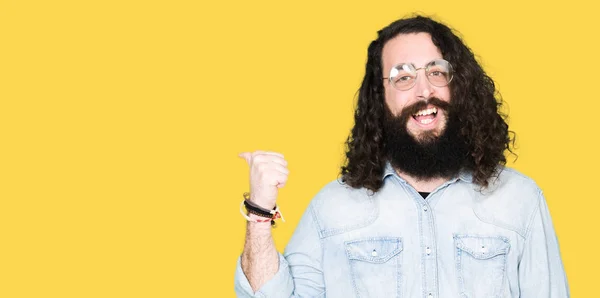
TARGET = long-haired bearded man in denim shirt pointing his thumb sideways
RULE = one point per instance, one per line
(425, 207)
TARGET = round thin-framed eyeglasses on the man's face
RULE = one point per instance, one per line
(403, 76)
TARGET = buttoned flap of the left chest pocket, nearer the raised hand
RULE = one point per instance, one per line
(374, 250)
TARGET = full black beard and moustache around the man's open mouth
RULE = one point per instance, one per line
(430, 154)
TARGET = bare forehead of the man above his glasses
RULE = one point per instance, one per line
(416, 48)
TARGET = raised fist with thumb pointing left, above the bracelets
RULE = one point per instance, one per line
(268, 173)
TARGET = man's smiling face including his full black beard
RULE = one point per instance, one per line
(421, 129)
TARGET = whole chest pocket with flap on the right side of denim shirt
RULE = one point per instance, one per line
(480, 265)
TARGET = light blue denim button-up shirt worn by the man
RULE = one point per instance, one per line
(459, 242)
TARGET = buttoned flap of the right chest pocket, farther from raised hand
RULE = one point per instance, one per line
(482, 247)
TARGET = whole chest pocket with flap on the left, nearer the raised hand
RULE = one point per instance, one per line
(375, 266)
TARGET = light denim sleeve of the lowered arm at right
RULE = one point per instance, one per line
(541, 271)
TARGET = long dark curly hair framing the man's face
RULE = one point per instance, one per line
(473, 93)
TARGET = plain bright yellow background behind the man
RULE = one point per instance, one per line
(121, 121)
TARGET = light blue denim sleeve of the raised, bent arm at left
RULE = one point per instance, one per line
(300, 267)
